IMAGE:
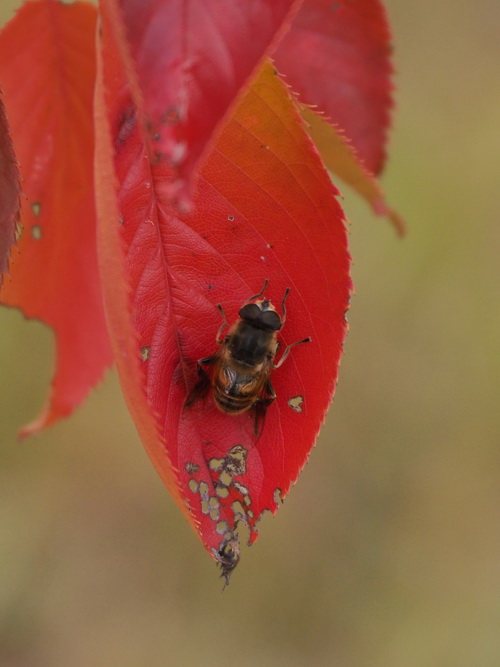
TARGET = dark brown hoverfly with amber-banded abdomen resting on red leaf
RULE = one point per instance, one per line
(240, 379)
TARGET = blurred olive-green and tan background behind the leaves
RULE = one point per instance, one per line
(388, 551)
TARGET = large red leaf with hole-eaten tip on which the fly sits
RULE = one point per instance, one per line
(265, 209)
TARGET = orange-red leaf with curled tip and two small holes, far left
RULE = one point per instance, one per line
(49, 47)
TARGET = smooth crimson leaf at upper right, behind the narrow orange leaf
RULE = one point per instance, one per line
(337, 57)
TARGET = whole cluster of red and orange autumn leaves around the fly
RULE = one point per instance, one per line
(167, 165)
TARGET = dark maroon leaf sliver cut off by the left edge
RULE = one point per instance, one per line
(10, 190)
